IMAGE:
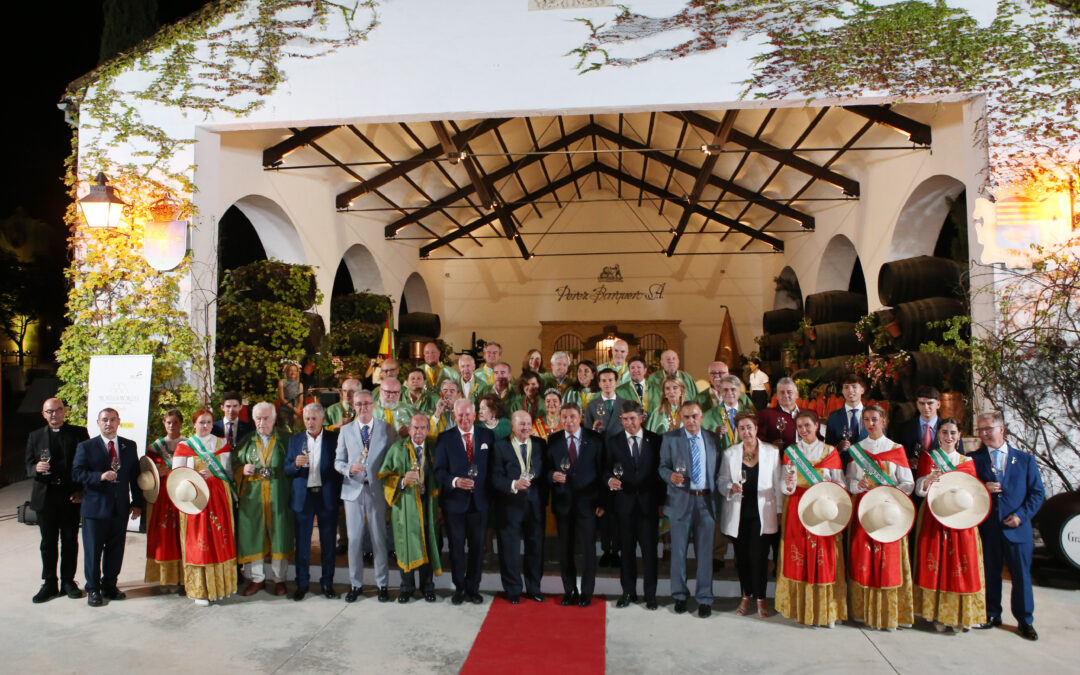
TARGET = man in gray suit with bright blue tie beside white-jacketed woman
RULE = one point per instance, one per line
(688, 466)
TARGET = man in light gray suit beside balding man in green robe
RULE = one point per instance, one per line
(362, 445)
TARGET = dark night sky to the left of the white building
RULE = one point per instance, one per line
(47, 46)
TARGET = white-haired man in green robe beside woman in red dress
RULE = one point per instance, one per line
(265, 523)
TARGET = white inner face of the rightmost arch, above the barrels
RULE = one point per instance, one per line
(921, 221)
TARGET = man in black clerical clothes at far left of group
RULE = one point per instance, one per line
(56, 499)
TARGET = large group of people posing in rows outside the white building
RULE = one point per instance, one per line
(438, 452)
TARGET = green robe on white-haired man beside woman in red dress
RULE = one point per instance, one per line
(265, 522)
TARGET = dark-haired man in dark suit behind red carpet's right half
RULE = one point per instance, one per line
(575, 471)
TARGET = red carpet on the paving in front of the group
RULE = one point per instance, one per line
(539, 638)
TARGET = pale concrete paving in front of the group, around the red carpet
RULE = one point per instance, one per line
(156, 632)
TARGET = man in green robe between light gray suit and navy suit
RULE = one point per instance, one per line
(409, 481)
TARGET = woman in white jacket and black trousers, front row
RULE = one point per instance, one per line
(752, 485)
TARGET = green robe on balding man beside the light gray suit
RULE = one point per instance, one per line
(412, 515)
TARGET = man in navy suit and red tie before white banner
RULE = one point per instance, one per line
(107, 467)
